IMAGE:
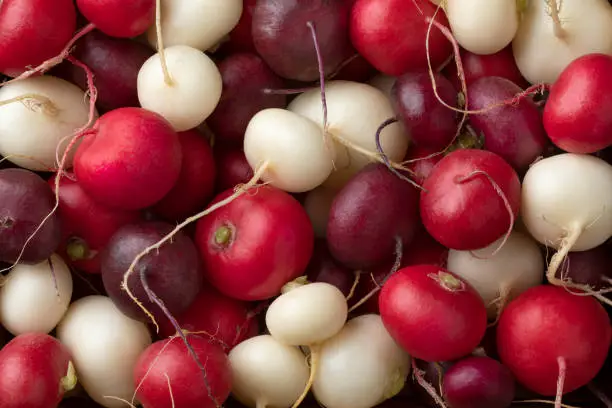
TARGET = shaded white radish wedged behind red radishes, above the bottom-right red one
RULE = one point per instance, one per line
(500, 276)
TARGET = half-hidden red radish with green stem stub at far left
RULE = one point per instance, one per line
(87, 222)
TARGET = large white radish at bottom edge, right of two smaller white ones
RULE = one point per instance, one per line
(361, 366)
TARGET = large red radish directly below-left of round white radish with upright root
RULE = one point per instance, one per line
(131, 160)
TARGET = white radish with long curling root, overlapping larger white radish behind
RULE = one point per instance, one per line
(291, 147)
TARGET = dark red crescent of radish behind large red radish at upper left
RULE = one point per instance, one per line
(196, 182)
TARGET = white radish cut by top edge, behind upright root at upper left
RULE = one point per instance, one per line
(200, 24)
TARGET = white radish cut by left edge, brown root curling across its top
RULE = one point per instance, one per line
(34, 129)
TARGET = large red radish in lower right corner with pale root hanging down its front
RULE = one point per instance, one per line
(549, 333)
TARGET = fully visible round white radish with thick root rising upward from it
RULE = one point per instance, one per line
(193, 92)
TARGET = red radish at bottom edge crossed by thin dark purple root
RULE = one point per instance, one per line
(168, 361)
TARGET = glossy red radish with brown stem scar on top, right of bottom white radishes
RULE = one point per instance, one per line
(432, 313)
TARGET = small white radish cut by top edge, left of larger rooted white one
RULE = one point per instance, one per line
(483, 26)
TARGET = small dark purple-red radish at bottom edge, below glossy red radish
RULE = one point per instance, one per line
(478, 382)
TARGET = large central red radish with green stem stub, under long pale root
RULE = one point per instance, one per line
(271, 243)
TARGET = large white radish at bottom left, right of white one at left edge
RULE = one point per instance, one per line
(105, 346)
